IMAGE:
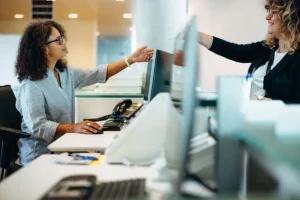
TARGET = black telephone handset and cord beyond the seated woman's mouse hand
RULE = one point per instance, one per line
(117, 112)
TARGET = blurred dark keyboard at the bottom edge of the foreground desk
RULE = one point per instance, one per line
(134, 188)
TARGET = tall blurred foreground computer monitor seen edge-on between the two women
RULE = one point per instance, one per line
(189, 99)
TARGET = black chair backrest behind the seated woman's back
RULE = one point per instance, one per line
(9, 115)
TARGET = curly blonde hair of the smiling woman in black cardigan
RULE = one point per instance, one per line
(288, 12)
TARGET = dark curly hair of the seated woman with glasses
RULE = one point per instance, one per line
(32, 57)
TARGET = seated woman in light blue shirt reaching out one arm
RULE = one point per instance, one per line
(46, 98)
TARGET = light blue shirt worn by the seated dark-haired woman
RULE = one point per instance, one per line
(44, 105)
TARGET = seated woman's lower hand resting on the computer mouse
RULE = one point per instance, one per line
(87, 127)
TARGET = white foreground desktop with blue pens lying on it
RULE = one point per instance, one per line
(40, 175)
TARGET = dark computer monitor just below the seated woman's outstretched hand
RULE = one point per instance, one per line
(158, 74)
